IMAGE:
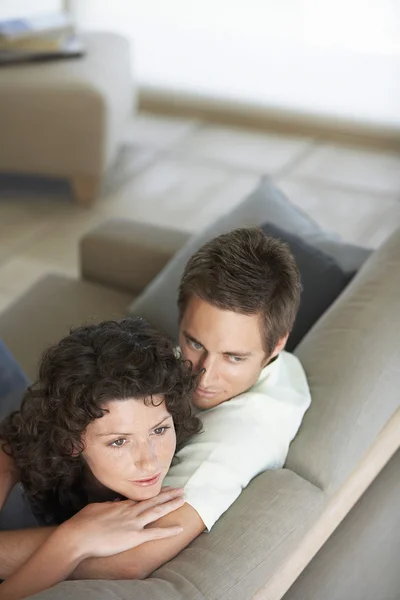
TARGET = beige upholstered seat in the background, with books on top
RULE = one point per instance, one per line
(66, 118)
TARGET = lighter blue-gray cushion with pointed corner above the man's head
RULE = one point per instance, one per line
(266, 204)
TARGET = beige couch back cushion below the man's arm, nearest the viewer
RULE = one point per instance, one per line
(246, 550)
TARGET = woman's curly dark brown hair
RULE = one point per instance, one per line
(94, 364)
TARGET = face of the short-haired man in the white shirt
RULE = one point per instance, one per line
(228, 345)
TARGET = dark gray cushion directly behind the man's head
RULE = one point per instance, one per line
(322, 281)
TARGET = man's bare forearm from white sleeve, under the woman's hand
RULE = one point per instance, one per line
(141, 561)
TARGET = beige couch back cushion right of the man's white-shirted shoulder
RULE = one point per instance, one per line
(352, 360)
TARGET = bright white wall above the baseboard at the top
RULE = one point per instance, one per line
(339, 58)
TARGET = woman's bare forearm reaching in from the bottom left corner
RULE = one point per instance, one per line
(56, 558)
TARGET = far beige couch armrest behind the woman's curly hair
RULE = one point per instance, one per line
(128, 255)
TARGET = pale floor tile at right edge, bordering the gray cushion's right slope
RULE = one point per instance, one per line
(358, 217)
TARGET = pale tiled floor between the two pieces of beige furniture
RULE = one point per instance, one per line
(185, 173)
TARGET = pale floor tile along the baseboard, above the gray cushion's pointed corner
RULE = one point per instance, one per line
(261, 153)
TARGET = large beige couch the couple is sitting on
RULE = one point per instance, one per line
(284, 537)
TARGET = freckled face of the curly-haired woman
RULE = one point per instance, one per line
(129, 449)
